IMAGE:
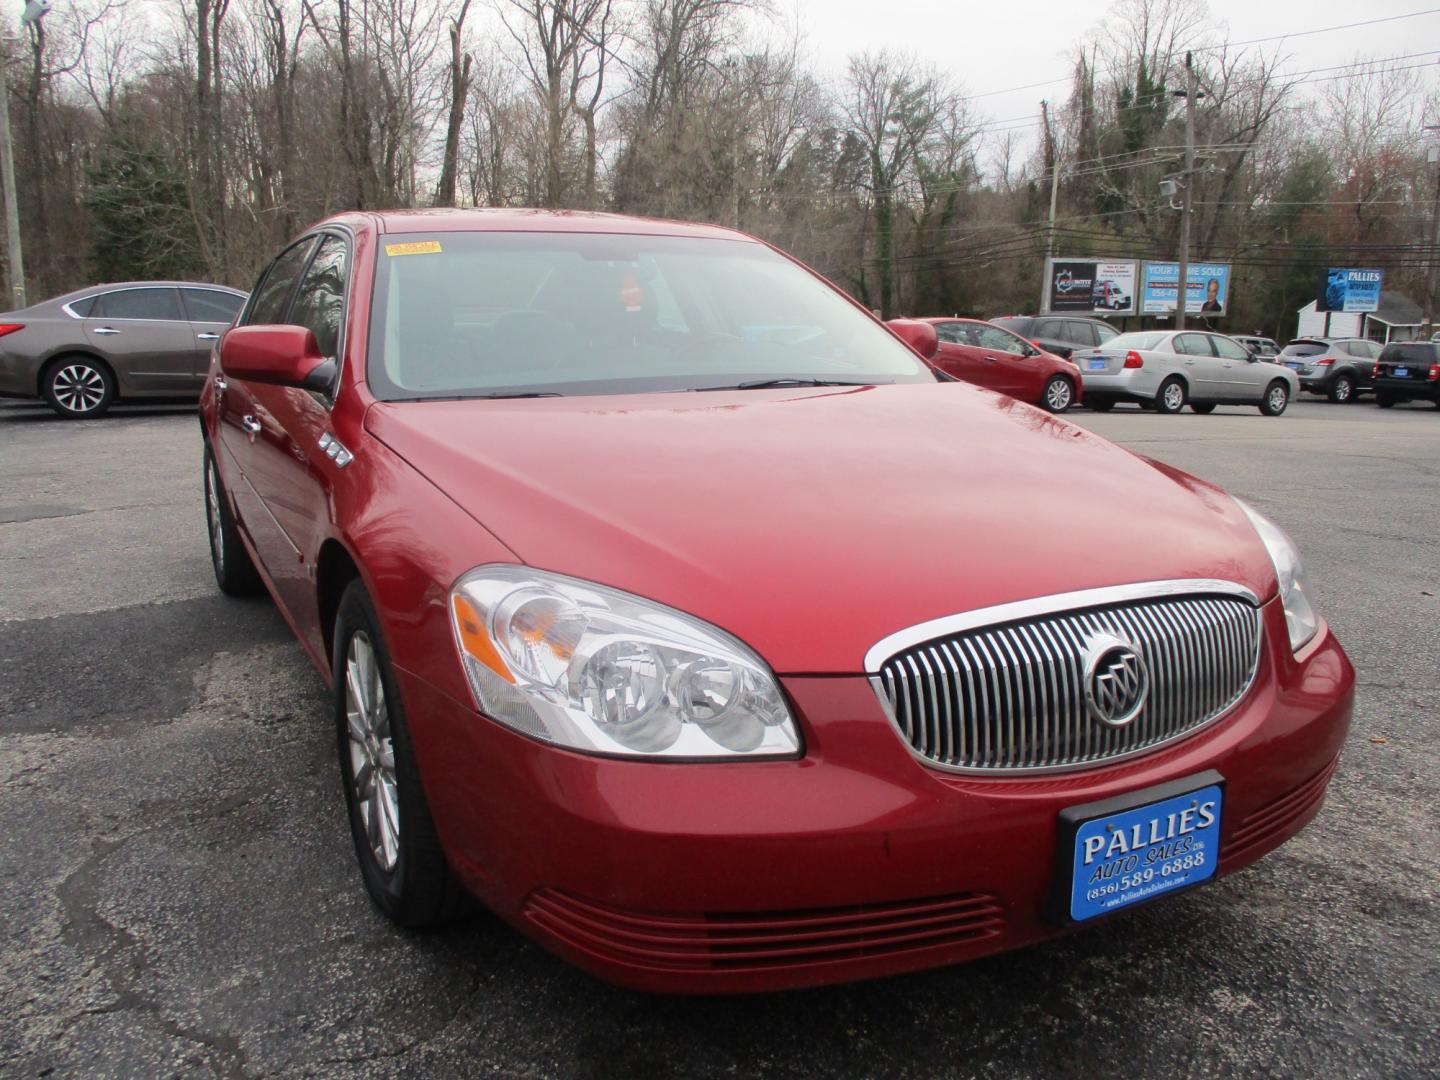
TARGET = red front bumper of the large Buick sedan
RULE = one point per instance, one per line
(853, 862)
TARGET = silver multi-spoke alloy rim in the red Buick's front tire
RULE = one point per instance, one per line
(372, 752)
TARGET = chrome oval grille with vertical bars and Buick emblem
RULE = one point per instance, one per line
(1036, 688)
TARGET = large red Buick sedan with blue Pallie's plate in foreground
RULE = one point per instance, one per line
(673, 608)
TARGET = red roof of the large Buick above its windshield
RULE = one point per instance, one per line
(512, 220)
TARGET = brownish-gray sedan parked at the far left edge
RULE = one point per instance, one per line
(138, 339)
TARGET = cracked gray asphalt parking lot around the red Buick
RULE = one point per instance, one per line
(182, 898)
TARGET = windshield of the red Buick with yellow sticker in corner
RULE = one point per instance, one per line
(499, 315)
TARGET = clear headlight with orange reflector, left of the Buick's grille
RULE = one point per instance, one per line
(603, 672)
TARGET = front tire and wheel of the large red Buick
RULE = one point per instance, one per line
(400, 852)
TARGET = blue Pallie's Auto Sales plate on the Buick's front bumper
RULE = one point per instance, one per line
(1141, 846)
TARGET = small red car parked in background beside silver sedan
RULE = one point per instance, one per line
(991, 356)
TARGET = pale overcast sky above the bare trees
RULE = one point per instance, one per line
(1000, 44)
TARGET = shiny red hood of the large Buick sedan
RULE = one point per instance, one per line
(811, 523)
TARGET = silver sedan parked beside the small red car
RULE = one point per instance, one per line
(1167, 371)
